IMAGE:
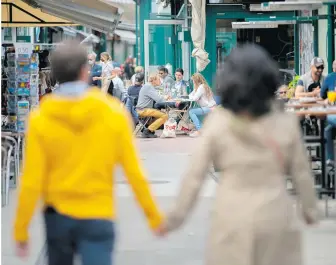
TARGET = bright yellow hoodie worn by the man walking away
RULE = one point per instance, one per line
(72, 147)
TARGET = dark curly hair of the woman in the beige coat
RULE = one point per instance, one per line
(248, 80)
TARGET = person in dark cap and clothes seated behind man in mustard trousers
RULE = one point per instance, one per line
(133, 96)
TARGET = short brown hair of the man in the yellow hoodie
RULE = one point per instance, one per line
(67, 61)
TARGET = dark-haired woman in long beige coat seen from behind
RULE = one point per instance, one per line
(254, 146)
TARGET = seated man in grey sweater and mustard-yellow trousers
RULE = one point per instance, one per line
(147, 96)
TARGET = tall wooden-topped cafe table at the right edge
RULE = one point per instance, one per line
(321, 115)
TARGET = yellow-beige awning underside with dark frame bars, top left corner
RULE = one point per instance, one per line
(16, 13)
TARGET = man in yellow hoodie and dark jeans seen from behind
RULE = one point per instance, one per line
(73, 143)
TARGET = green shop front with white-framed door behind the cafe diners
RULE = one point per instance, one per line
(291, 37)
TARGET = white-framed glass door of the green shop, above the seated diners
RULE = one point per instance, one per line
(164, 45)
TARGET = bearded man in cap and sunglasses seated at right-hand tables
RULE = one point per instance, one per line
(309, 85)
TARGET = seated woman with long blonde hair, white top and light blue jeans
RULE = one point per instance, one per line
(203, 95)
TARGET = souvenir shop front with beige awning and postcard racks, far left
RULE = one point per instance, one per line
(25, 64)
